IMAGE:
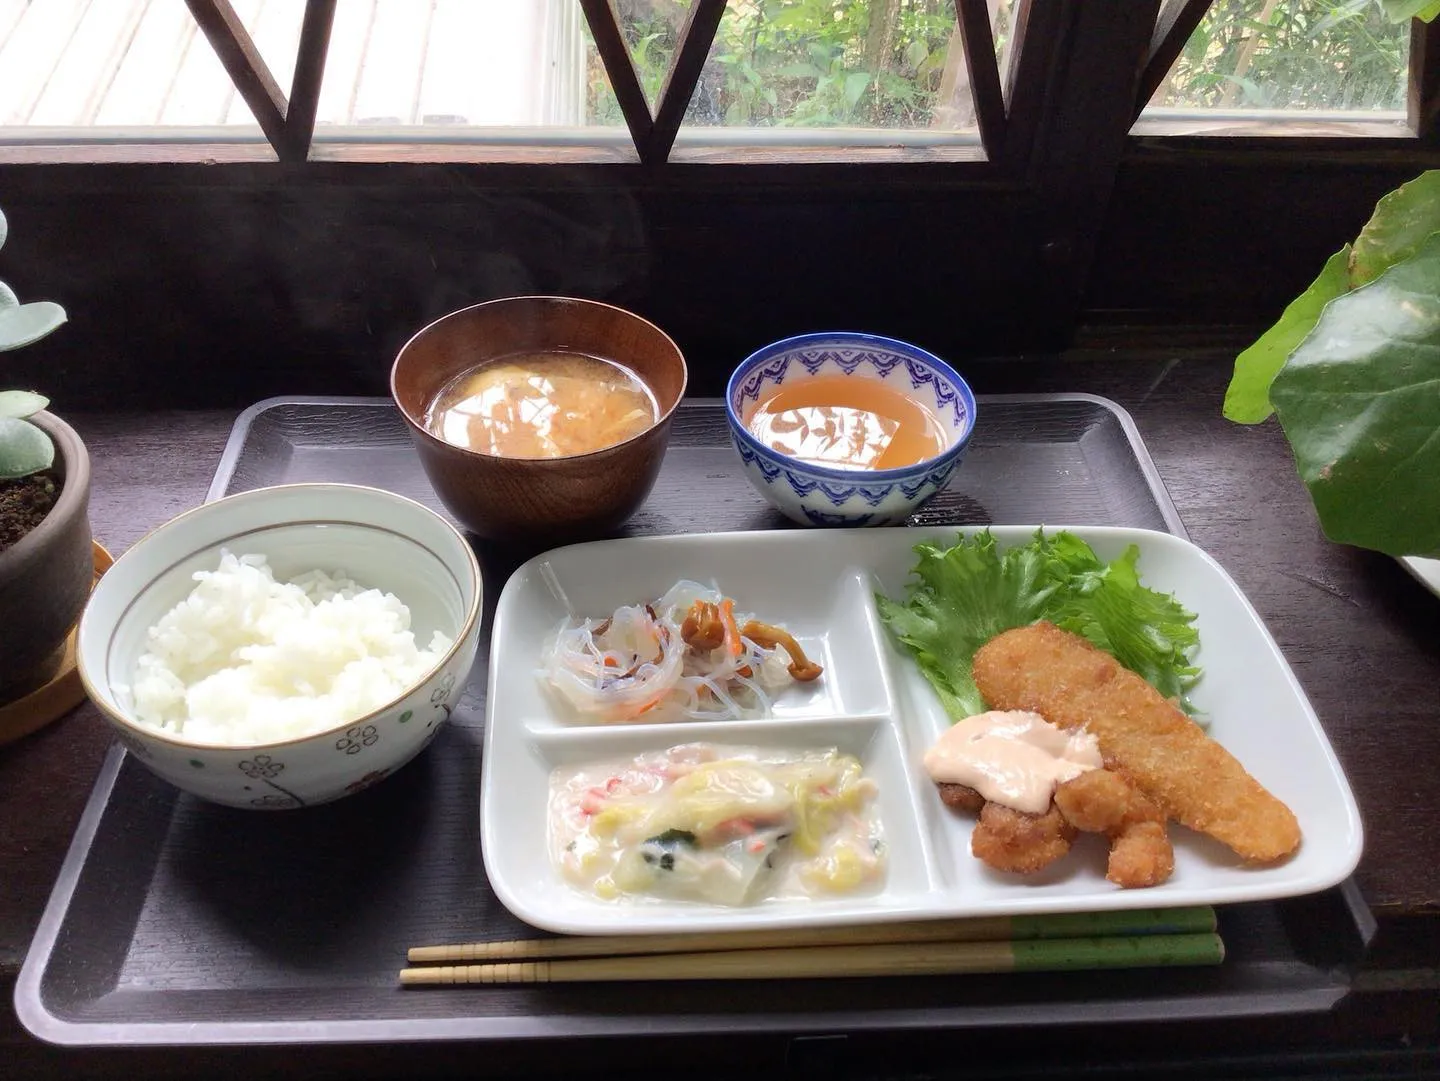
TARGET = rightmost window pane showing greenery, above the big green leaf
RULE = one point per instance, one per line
(1315, 55)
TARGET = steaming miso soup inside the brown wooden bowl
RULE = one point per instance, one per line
(542, 405)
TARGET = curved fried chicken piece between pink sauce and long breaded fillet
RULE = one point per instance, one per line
(1105, 802)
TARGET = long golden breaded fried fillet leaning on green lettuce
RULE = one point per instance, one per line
(1194, 779)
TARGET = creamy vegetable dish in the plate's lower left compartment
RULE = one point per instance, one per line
(725, 826)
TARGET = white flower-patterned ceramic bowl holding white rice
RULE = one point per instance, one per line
(385, 543)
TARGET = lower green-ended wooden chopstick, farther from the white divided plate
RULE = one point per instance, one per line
(830, 962)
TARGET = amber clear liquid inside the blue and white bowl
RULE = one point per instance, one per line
(847, 422)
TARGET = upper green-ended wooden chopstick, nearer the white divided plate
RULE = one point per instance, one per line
(1193, 921)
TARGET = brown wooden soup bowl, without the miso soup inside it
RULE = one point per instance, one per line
(539, 500)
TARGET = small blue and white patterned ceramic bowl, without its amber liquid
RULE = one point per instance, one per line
(826, 496)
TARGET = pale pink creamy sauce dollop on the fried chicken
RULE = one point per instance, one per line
(1012, 758)
